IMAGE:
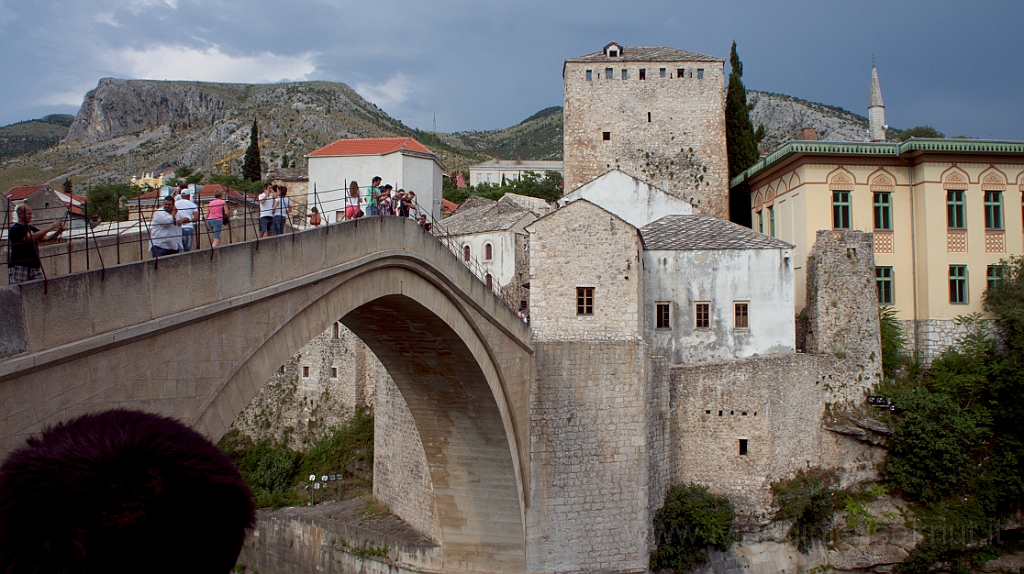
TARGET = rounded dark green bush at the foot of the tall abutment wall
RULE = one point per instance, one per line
(692, 519)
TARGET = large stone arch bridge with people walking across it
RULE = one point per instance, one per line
(195, 338)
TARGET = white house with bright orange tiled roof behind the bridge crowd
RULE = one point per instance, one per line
(403, 162)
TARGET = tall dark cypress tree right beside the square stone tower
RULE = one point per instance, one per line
(741, 141)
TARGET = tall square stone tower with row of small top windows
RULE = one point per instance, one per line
(657, 114)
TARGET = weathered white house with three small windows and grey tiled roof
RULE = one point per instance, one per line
(716, 291)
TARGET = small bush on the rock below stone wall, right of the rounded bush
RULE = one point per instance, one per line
(810, 502)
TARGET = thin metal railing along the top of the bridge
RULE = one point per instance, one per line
(98, 241)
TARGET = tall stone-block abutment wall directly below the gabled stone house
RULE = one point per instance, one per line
(594, 456)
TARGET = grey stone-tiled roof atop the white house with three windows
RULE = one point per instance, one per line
(685, 233)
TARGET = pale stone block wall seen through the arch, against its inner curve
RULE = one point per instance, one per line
(402, 478)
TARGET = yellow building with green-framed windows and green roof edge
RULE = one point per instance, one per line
(944, 213)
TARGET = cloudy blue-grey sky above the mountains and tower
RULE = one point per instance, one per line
(482, 65)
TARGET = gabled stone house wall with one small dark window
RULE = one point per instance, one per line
(583, 246)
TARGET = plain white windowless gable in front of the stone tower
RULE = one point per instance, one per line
(636, 202)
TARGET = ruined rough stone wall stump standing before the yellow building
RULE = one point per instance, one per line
(842, 311)
